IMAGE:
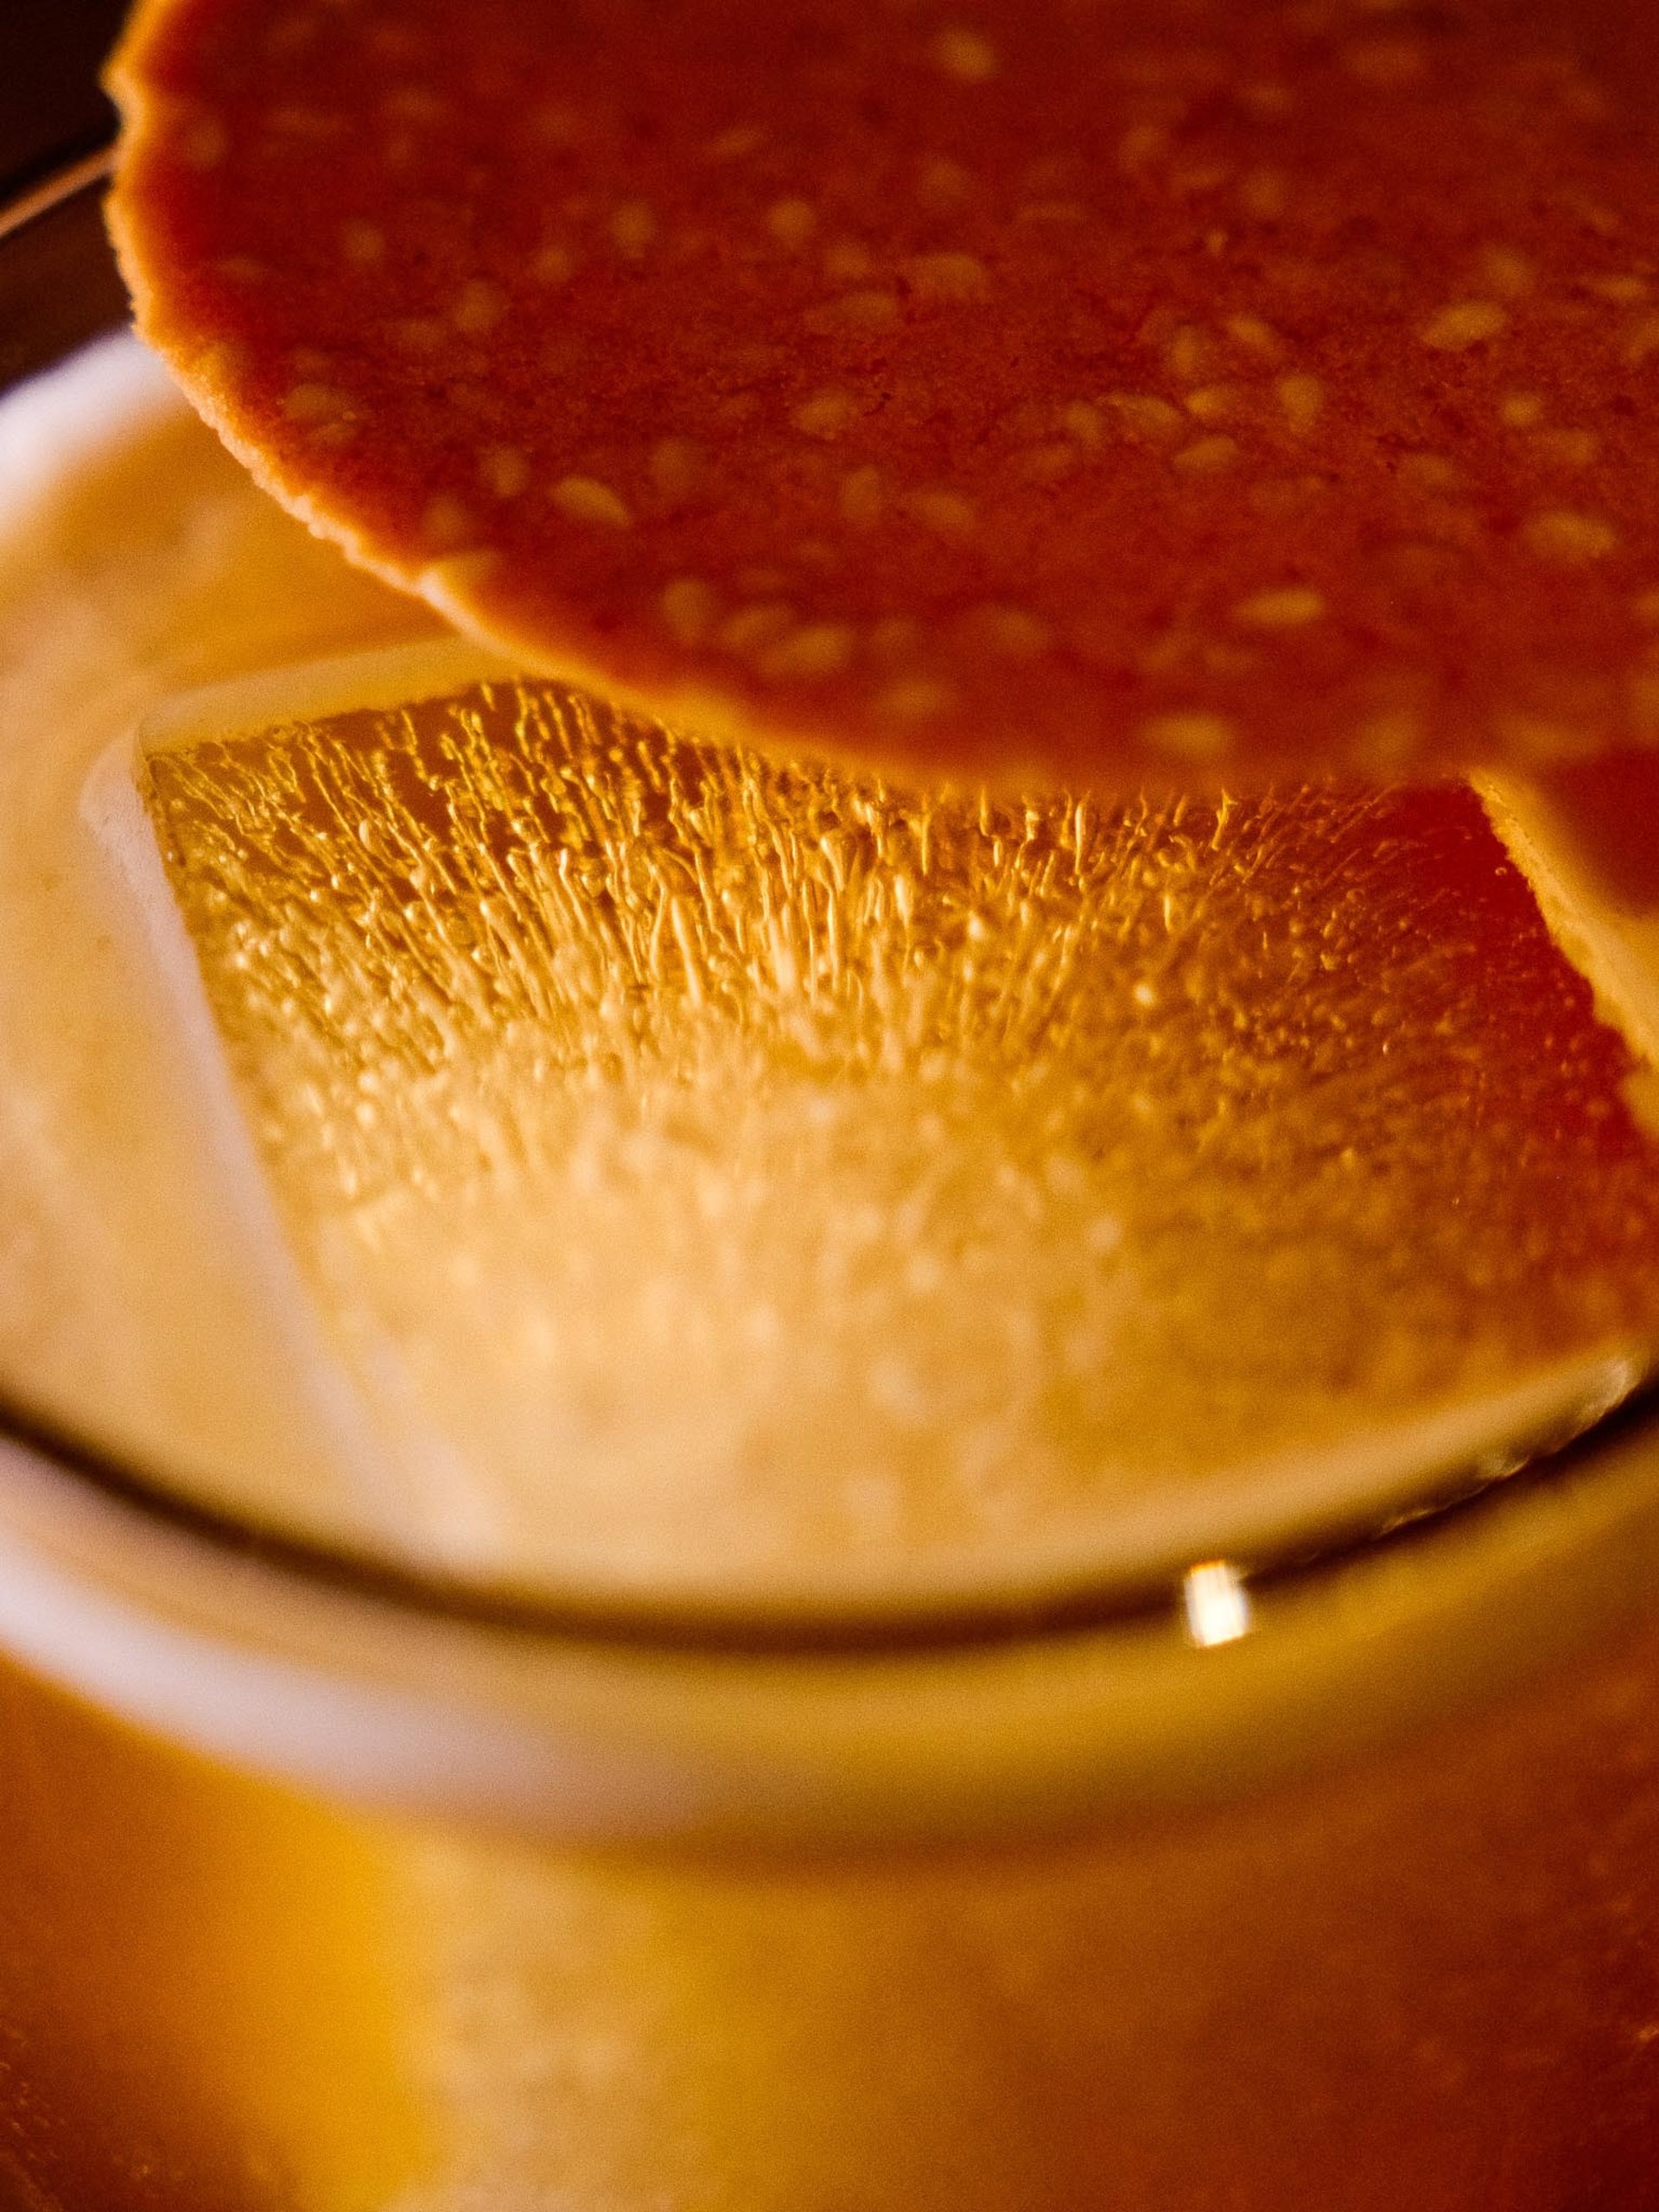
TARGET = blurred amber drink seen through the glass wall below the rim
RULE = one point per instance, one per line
(1426, 1983)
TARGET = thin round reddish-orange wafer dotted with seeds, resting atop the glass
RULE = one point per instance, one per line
(1058, 393)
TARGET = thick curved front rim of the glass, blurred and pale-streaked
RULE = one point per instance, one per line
(390, 1704)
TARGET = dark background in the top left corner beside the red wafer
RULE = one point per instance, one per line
(50, 101)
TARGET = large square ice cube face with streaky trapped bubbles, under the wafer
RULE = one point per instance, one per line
(848, 1182)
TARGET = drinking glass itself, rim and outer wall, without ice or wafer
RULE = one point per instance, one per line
(335, 1884)
